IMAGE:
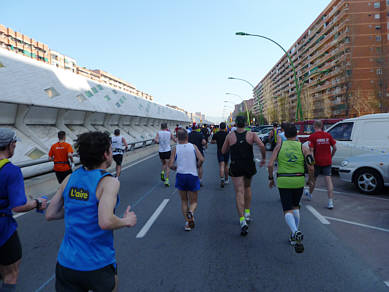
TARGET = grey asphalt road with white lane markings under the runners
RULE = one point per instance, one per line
(214, 257)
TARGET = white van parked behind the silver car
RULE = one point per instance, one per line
(362, 135)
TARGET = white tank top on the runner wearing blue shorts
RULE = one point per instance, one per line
(186, 159)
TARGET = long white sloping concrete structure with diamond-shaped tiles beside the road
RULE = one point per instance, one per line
(37, 100)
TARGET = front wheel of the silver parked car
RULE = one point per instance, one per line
(368, 181)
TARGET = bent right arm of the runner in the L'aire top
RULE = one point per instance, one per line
(109, 188)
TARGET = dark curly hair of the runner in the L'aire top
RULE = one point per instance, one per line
(91, 147)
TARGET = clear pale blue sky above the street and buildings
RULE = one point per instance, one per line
(180, 51)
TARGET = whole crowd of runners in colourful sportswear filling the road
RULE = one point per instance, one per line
(87, 196)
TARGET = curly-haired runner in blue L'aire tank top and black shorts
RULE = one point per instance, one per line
(87, 200)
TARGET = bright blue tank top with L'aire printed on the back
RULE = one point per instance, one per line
(85, 246)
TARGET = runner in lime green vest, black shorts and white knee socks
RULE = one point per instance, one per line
(291, 157)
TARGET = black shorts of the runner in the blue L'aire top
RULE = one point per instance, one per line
(101, 280)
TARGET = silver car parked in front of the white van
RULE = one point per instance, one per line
(369, 173)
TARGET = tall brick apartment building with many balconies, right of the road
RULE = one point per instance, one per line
(342, 61)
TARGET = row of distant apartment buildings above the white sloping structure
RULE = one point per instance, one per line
(22, 44)
